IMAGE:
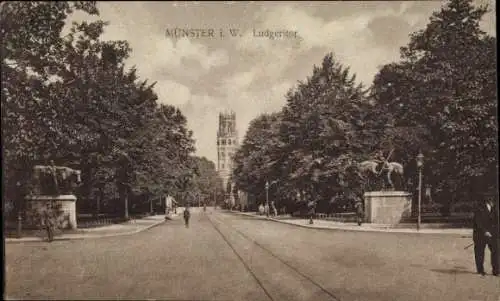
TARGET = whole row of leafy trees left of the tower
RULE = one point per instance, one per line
(70, 98)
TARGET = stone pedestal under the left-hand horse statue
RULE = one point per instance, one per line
(38, 203)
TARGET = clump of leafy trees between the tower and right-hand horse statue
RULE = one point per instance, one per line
(314, 144)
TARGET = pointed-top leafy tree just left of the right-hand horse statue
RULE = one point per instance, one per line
(321, 128)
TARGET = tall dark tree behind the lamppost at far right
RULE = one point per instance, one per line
(445, 85)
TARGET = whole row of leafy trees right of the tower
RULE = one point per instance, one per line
(439, 99)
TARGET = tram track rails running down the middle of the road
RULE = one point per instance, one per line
(217, 223)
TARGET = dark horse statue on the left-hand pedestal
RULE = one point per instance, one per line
(54, 180)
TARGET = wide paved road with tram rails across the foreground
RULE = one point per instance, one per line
(230, 257)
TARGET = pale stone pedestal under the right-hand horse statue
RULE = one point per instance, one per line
(387, 207)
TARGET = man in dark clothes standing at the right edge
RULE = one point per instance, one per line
(486, 233)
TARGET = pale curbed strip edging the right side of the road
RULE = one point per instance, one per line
(342, 228)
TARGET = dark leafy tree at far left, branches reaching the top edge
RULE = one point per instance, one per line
(31, 47)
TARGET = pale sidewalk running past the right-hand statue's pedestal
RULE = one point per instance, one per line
(322, 224)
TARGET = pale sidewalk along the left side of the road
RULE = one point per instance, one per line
(128, 228)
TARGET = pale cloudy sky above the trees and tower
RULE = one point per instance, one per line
(251, 75)
